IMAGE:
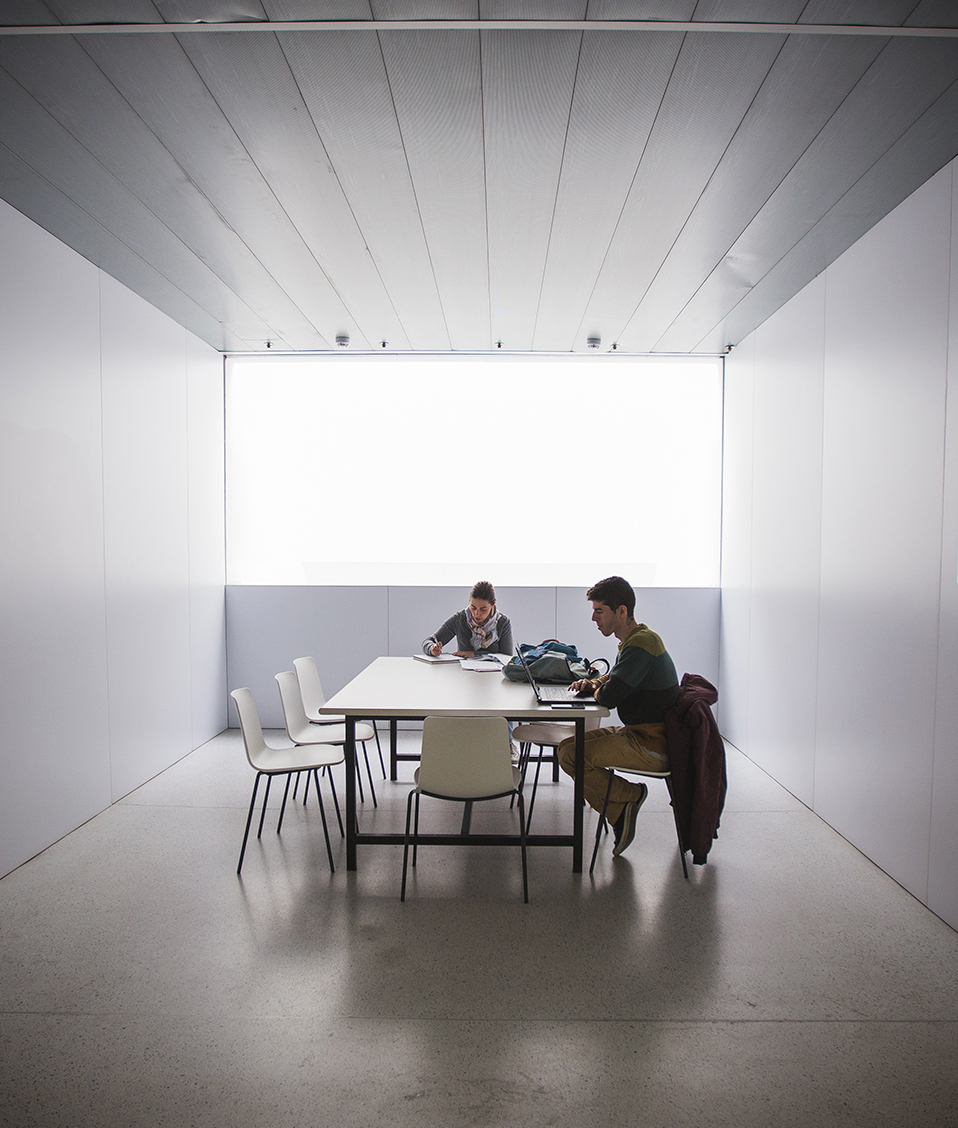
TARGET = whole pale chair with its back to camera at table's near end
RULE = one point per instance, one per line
(465, 759)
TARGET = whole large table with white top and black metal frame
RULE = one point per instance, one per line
(406, 690)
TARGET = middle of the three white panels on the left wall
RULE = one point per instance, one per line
(147, 531)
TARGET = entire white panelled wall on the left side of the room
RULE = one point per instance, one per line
(112, 618)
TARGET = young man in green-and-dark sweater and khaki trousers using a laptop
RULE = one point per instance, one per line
(641, 686)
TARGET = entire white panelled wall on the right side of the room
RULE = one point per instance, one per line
(840, 612)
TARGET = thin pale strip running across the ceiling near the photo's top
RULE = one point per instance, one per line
(485, 25)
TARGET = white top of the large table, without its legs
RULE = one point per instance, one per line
(405, 688)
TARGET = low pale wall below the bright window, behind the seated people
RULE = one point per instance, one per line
(346, 629)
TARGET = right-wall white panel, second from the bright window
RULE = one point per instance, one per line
(787, 541)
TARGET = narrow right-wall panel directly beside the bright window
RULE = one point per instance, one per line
(737, 480)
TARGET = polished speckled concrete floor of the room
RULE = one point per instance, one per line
(789, 982)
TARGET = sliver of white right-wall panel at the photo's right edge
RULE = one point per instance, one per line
(943, 885)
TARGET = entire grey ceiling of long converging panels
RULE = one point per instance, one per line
(458, 188)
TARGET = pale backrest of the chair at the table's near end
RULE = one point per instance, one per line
(467, 757)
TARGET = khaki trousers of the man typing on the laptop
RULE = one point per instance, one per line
(641, 747)
